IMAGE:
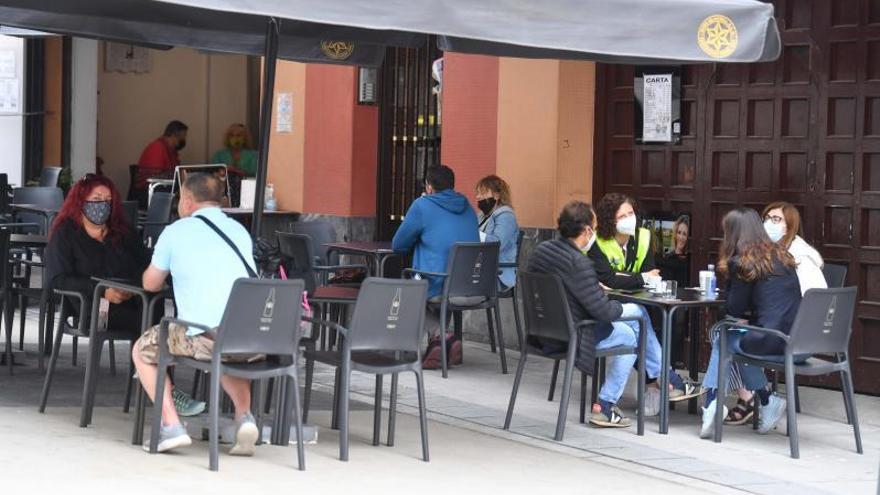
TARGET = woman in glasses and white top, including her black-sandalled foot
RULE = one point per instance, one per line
(782, 221)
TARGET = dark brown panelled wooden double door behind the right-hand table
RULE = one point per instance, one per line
(804, 129)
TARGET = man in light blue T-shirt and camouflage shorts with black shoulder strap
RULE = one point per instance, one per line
(203, 267)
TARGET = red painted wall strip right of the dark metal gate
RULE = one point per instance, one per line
(470, 118)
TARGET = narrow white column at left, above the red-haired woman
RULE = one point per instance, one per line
(84, 107)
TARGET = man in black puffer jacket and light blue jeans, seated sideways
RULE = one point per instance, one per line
(565, 257)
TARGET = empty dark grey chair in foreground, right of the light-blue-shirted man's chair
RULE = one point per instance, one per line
(385, 337)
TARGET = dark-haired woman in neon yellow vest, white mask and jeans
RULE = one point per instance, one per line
(623, 258)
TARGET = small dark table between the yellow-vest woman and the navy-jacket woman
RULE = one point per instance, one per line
(685, 298)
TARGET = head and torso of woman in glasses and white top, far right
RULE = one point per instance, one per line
(782, 221)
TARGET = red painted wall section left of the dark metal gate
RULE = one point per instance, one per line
(341, 140)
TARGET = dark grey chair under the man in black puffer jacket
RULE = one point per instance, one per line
(548, 316)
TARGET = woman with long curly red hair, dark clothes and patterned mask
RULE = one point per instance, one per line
(91, 237)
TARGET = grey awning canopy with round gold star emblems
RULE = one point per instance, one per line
(357, 31)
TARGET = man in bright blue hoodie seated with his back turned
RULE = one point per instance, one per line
(433, 223)
